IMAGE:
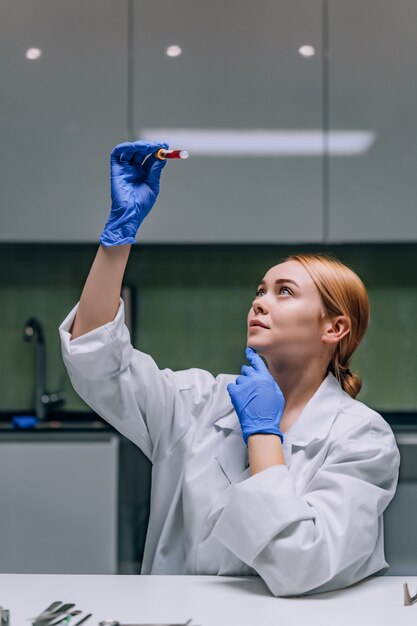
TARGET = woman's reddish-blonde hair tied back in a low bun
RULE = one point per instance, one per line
(342, 293)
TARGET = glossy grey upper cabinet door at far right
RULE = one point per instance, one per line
(373, 89)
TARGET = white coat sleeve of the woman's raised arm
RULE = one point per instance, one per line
(153, 408)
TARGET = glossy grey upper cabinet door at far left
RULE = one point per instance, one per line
(60, 116)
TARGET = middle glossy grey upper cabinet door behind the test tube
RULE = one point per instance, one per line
(240, 80)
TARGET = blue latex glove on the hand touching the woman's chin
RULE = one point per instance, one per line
(257, 398)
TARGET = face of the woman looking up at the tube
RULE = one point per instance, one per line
(289, 305)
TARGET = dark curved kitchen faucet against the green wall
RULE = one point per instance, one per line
(43, 400)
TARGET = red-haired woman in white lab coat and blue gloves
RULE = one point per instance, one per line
(278, 472)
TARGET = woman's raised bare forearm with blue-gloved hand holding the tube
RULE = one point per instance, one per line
(135, 181)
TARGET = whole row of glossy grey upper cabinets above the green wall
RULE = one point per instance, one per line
(242, 87)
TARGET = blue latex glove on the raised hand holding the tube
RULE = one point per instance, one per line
(134, 189)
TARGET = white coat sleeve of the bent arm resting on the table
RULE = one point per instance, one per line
(299, 542)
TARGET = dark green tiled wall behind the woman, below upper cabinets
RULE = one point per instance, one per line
(191, 308)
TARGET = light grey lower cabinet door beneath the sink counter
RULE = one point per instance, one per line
(59, 501)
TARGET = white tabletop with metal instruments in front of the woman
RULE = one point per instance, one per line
(209, 600)
